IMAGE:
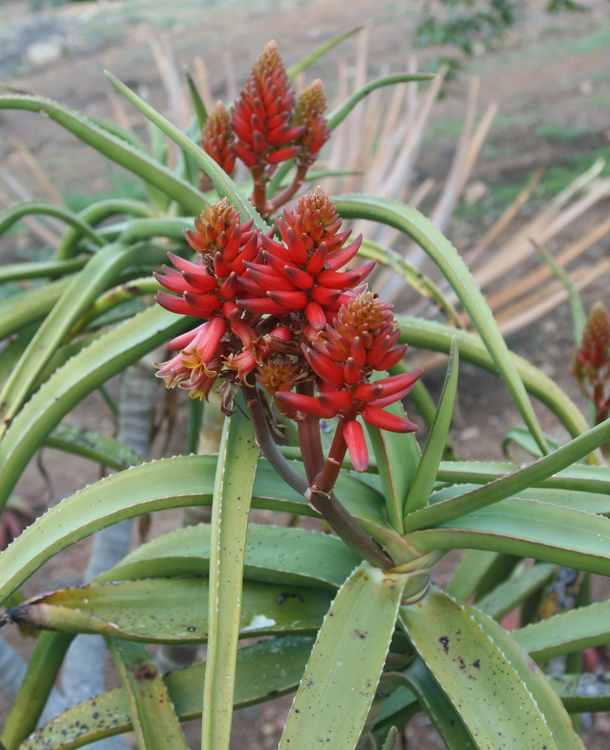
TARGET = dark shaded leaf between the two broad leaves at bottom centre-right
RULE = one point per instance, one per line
(438, 707)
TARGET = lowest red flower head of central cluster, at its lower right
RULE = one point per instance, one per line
(361, 339)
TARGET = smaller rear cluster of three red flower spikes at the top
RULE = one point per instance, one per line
(268, 125)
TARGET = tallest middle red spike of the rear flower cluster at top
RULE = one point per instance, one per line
(263, 113)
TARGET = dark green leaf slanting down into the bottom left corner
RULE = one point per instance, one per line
(43, 665)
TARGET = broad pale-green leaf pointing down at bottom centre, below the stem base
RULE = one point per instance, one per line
(338, 687)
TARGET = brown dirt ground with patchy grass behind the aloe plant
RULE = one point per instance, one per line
(551, 79)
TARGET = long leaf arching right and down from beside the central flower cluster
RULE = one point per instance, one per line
(409, 221)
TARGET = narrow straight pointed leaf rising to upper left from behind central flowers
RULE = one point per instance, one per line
(223, 184)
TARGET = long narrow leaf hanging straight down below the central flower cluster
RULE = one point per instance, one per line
(232, 498)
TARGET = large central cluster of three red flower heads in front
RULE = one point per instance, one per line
(281, 310)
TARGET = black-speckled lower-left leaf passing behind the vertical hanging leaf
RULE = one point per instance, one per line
(264, 670)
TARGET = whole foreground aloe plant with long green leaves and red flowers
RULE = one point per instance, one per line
(266, 314)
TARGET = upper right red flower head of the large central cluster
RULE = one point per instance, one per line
(300, 273)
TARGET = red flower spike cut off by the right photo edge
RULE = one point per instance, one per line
(591, 365)
